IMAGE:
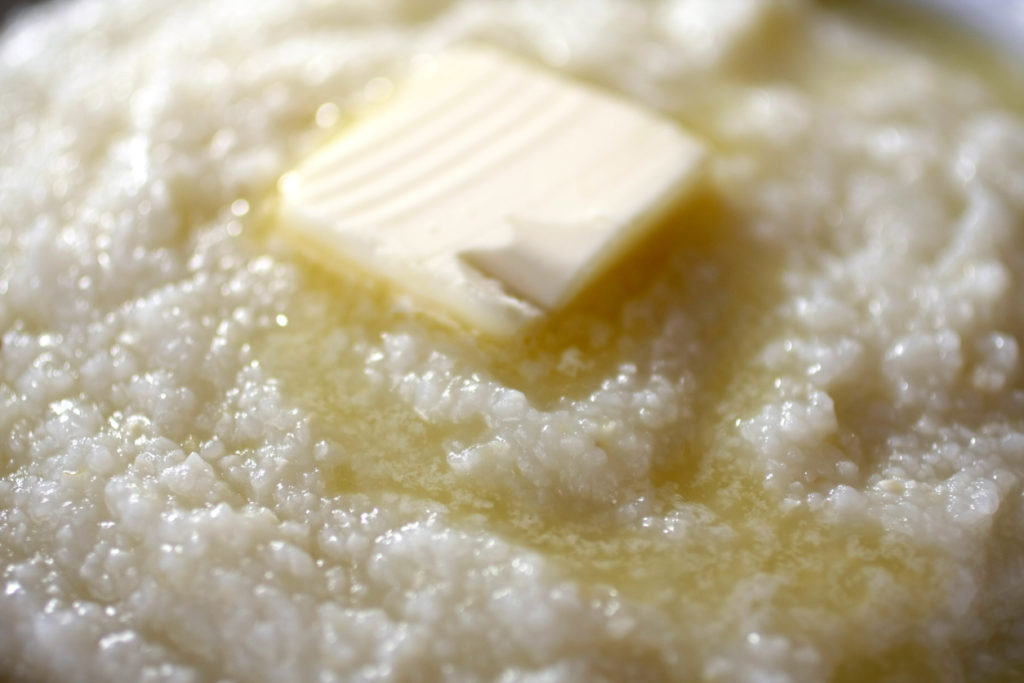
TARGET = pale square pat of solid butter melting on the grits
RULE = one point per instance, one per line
(492, 189)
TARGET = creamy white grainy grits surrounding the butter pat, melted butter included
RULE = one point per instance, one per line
(784, 441)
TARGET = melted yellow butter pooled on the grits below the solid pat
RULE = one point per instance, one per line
(817, 582)
